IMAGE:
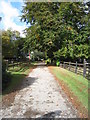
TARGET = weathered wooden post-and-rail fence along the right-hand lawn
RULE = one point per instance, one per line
(78, 68)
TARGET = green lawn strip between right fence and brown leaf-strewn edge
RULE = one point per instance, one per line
(77, 84)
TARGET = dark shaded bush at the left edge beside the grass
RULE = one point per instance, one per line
(6, 77)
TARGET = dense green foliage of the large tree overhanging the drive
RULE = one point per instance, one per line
(59, 29)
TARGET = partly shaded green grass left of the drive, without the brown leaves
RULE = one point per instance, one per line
(18, 73)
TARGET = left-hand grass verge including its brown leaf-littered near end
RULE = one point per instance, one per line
(18, 73)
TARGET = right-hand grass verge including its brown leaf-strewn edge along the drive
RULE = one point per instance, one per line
(75, 86)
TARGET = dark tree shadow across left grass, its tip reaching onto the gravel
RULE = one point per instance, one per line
(19, 82)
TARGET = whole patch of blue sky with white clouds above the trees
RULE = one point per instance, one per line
(10, 11)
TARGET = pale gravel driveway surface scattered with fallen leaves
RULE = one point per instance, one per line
(40, 97)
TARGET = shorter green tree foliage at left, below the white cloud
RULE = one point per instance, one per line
(12, 44)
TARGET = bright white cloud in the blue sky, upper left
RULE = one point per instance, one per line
(10, 13)
